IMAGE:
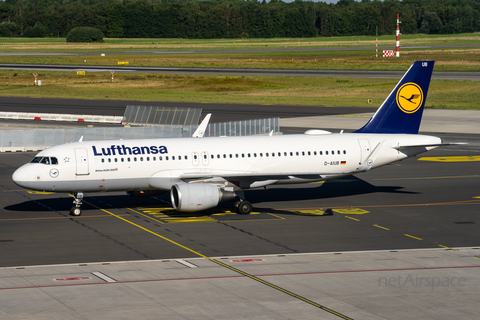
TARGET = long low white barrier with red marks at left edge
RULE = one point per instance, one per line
(60, 117)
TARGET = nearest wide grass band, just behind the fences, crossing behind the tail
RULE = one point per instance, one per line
(228, 89)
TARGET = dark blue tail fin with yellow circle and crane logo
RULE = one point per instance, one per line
(402, 111)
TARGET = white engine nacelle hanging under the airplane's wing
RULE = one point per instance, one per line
(191, 197)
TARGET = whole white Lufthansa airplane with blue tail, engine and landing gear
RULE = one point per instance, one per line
(200, 172)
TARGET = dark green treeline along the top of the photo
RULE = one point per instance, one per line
(196, 19)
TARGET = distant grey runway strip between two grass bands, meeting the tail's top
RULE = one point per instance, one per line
(439, 75)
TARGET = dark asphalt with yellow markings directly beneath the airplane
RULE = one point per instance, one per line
(434, 201)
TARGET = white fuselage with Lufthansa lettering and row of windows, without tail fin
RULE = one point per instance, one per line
(252, 161)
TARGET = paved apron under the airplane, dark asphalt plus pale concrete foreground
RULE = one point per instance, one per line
(137, 257)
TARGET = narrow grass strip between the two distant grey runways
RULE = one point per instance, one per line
(446, 60)
